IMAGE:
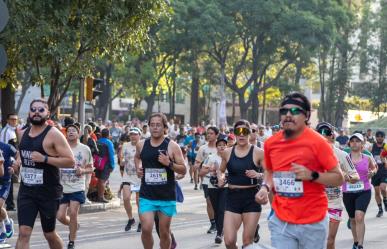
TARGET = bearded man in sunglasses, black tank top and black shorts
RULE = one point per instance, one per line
(42, 151)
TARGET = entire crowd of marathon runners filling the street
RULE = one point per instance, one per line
(308, 175)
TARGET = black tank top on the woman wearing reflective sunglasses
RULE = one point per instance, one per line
(237, 166)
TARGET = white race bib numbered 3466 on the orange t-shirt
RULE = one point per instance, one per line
(285, 184)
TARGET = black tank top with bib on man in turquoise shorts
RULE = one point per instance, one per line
(158, 182)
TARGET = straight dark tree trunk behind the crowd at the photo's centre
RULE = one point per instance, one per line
(194, 117)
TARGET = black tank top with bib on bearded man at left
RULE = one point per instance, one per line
(38, 179)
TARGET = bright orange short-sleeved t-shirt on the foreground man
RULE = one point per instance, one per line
(311, 150)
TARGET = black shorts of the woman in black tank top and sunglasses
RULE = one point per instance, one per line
(242, 201)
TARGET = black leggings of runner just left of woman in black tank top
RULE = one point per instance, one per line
(218, 201)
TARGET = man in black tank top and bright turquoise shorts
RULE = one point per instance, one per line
(157, 160)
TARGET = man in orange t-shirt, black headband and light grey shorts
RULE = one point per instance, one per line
(299, 163)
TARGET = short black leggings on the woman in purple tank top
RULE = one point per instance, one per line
(356, 201)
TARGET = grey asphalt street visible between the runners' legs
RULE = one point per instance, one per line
(105, 230)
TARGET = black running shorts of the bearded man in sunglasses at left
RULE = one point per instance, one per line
(28, 208)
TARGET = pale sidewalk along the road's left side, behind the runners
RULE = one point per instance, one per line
(86, 208)
